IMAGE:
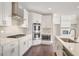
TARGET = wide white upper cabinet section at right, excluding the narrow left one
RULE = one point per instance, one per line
(68, 20)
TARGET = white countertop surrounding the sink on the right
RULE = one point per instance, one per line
(73, 48)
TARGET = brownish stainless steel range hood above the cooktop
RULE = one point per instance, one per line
(16, 11)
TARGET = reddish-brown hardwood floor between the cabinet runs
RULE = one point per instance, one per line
(40, 50)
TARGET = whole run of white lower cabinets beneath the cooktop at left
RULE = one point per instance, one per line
(16, 47)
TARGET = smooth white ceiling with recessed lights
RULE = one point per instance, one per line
(57, 7)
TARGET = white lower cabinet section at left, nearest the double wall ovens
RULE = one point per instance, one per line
(24, 44)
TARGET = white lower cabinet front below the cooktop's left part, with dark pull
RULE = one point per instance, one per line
(10, 49)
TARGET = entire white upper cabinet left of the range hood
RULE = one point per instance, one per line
(5, 13)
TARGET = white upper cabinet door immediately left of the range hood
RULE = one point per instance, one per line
(7, 12)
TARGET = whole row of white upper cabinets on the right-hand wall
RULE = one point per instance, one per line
(64, 20)
